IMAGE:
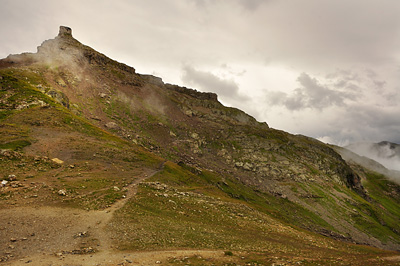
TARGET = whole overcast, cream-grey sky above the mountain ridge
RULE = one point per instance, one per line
(325, 69)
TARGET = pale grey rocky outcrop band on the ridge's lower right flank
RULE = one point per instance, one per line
(264, 161)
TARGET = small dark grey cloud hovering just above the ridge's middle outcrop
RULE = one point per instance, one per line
(207, 81)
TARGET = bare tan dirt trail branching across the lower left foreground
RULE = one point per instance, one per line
(55, 236)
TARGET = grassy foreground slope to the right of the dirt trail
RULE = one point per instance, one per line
(178, 209)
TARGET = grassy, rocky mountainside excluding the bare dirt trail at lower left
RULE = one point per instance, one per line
(108, 125)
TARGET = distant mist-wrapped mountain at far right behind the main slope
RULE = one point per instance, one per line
(386, 153)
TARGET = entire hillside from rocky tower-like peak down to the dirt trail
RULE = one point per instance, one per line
(105, 165)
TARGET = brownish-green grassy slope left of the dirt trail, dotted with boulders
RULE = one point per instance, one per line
(95, 160)
